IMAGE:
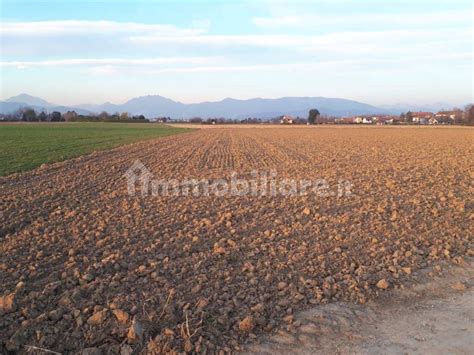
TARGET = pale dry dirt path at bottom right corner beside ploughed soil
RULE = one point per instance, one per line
(432, 314)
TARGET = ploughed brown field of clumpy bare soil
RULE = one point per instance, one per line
(85, 264)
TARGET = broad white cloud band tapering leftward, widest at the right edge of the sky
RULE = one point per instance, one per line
(351, 42)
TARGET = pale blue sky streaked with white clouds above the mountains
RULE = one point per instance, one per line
(378, 52)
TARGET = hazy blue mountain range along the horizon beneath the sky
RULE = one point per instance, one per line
(158, 106)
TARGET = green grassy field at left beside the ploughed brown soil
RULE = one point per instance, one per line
(27, 146)
